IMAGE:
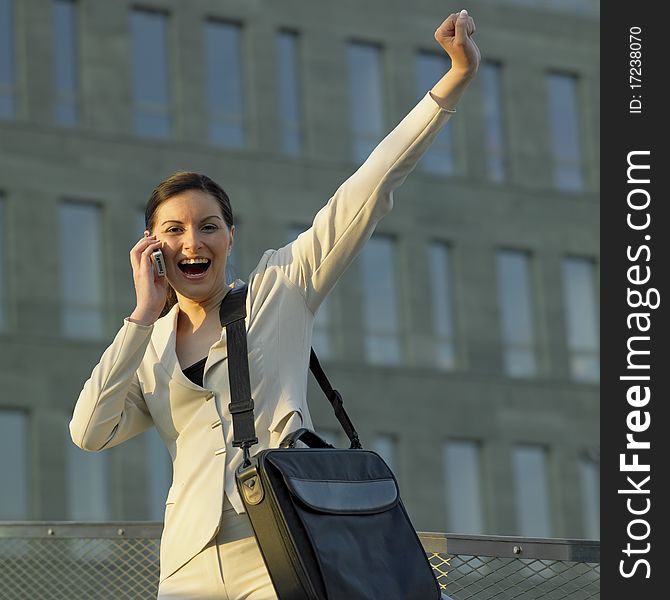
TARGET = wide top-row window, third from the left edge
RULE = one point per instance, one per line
(151, 95)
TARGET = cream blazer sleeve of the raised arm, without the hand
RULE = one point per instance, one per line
(319, 256)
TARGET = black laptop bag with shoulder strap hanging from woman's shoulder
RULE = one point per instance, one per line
(329, 522)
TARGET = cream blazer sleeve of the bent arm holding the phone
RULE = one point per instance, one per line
(111, 407)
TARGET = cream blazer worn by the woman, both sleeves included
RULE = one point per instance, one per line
(139, 381)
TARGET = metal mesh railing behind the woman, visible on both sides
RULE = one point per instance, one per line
(115, 561)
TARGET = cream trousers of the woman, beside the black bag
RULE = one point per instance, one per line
(230, 567)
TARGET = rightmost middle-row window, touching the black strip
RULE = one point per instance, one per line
(581, 318)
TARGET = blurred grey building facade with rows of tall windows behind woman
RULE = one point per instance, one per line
(477, 379)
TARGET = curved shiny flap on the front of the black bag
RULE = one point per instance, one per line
(345, 497)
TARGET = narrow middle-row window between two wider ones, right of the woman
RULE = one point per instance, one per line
(440, 281)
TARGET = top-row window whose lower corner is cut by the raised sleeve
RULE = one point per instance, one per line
(365, 98)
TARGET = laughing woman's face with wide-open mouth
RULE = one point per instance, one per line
(196, 243)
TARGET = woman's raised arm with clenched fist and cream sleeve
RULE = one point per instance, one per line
(319, 256)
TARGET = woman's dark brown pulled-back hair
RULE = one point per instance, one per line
(176, 184)
